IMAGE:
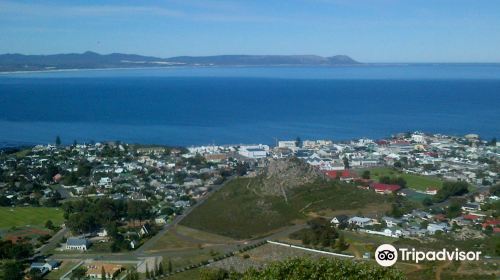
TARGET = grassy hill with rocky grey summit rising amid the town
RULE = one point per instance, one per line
(253, 207)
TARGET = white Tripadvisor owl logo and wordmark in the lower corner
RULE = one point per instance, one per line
(387, 255)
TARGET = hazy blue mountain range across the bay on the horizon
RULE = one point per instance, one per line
(92, 60)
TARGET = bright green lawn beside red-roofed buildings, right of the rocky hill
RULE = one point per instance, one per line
(418, 182)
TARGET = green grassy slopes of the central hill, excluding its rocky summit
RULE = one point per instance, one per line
(239, 211)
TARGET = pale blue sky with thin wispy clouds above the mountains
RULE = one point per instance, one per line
(366, 30)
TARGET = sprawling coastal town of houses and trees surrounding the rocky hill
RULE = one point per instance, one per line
(118, 197)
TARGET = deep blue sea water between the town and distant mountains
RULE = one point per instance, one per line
(230, 105)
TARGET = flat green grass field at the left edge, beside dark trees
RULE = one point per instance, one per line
(29, 216)
